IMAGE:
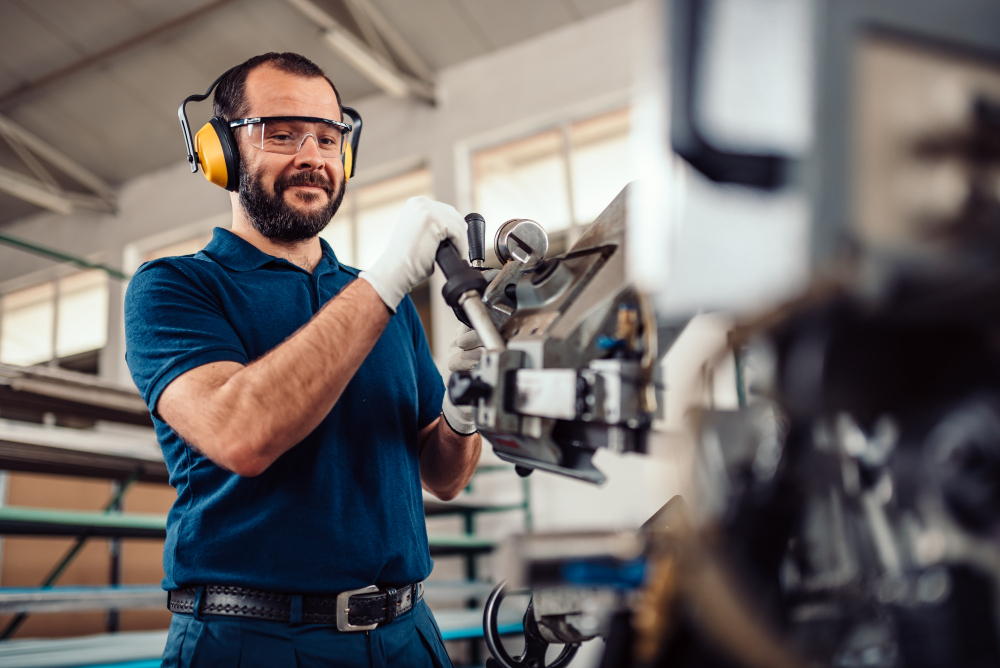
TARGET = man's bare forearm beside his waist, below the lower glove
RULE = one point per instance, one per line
(447, 459)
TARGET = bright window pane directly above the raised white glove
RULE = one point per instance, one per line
(378, 208)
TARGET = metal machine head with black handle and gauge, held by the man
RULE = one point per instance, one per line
(571, 347)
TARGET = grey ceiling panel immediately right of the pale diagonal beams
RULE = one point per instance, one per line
(436, 31)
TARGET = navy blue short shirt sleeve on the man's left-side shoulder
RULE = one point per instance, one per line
(173, 323)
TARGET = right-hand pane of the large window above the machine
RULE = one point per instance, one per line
(600, 163)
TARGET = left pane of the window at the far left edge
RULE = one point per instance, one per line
(26, 325)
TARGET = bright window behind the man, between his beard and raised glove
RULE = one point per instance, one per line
(362, 228)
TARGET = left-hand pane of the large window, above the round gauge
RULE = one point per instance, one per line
(522, 179)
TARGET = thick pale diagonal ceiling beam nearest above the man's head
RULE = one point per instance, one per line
(379, 70)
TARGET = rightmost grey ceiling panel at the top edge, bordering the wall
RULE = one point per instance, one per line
(512, 21)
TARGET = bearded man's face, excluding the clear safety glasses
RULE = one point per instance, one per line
(289, 197)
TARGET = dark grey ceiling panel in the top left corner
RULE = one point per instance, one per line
(30, 49)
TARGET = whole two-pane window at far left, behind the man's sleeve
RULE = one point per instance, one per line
(64, 321)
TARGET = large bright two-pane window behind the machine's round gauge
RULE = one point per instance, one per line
(562, 176)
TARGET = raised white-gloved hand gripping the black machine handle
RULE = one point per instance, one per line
(409, 258)
